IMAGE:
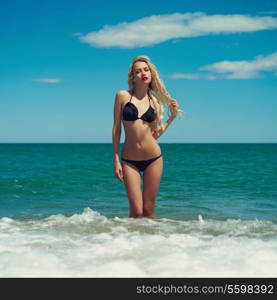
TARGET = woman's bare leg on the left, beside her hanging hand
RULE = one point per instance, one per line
(132, 182)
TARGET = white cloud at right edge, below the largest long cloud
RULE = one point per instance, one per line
(235, 69)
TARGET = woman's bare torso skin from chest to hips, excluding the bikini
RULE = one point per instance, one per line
(139, 143)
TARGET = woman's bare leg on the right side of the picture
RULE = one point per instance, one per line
(151, 182)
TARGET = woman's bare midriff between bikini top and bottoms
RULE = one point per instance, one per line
(139, 143)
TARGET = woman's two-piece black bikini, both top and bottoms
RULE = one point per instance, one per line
(130, 113)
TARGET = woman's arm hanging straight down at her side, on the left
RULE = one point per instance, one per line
(116, 133)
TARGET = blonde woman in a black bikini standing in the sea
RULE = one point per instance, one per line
(140, 109)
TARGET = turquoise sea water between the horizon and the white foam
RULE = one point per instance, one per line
(218, 181)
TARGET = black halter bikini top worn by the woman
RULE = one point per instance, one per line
(130, 113)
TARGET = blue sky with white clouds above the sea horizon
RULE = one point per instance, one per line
(63, 61)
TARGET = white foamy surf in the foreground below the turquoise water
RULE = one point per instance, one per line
(91, 245)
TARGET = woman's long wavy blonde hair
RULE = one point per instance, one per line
(156, 87)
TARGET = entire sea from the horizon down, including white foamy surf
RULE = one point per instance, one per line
(64, 214)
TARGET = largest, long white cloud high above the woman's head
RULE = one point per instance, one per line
(159, 28)
